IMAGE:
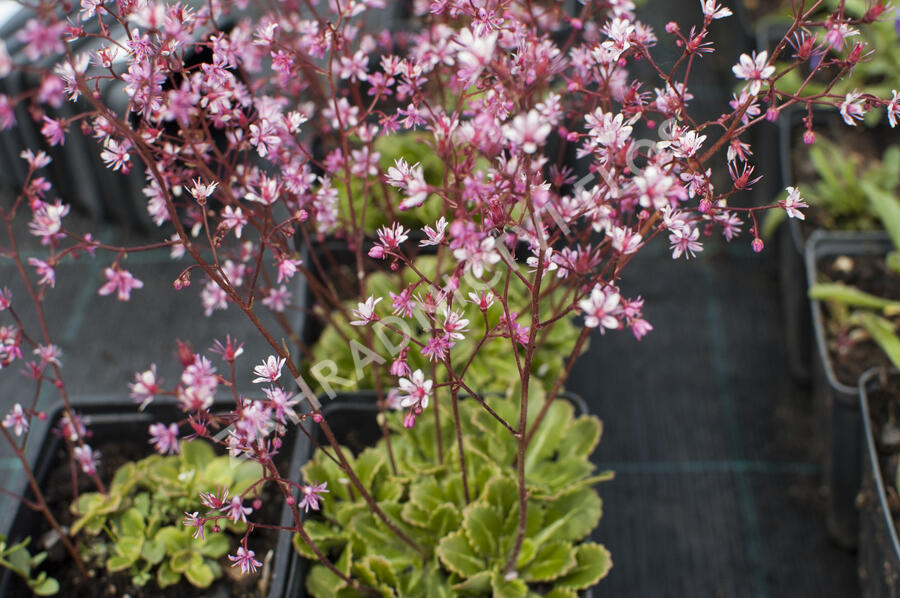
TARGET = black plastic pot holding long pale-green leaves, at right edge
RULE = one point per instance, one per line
(841, 418)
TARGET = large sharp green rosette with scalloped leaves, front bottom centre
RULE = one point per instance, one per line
(466, 545)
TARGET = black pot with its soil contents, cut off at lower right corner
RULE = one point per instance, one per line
(879, 546)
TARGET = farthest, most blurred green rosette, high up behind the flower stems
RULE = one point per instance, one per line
(382, 208)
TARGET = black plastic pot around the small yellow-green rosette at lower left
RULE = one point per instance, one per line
(111, 419)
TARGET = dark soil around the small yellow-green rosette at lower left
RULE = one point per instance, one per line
(115, 585)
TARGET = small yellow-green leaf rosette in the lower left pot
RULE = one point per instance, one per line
(137, 527)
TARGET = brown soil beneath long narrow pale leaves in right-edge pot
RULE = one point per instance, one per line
(850, 348)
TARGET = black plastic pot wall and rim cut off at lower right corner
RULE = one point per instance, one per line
(879, 546)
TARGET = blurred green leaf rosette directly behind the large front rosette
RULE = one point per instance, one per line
(493, 370)
